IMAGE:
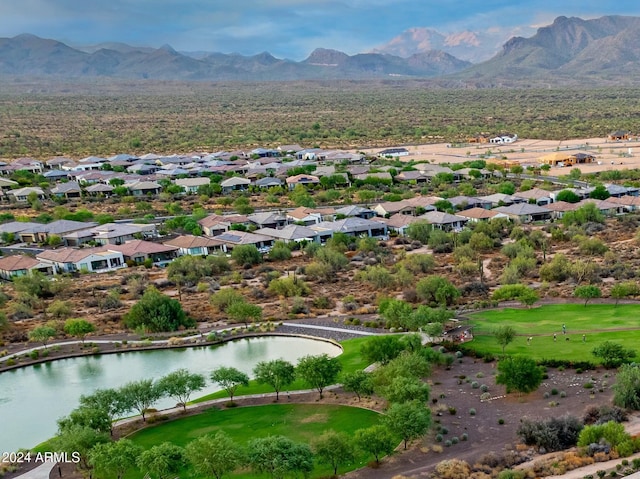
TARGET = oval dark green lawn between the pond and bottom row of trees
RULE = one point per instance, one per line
(299, 422)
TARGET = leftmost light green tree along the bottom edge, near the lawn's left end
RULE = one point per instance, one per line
(113, 458)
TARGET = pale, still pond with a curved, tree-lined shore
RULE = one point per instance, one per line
(33, 398)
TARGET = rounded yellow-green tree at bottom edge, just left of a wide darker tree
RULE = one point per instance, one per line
(214, 455)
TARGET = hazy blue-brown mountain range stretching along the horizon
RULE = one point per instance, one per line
(574, 51)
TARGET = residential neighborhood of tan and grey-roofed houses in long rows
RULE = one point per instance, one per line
(76, 246)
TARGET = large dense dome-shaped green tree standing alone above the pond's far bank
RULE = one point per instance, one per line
(157, 312)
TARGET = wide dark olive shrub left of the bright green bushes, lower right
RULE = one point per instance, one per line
(552, 434)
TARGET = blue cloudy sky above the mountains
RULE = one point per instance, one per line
(286, 28)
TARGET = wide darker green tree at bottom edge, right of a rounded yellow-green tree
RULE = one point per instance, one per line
(279, 456)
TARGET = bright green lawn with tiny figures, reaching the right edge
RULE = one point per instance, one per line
(599, 322)
